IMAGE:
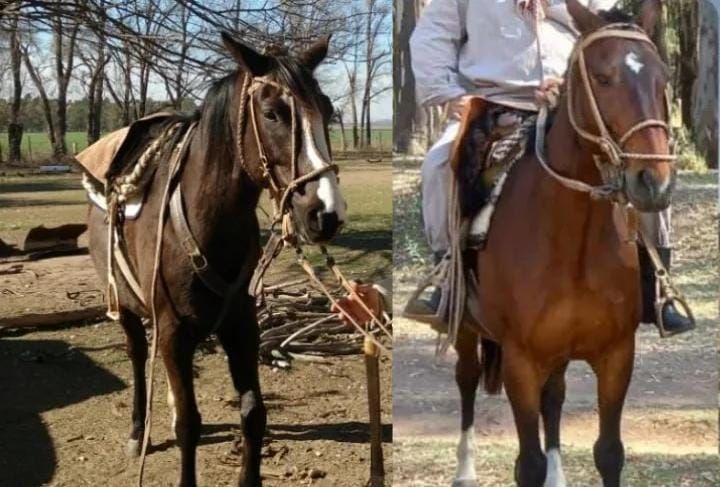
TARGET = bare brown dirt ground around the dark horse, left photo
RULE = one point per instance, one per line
(66, 392)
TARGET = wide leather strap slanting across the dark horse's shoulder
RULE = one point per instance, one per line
(199, 262)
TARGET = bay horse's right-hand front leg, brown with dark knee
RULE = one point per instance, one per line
(613, 371)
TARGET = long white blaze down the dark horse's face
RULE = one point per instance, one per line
(317, 154)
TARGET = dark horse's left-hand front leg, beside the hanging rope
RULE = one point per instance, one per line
(177, 349)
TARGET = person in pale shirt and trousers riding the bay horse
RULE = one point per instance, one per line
(462, 49)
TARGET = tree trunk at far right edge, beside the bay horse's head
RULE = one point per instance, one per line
(704, 104)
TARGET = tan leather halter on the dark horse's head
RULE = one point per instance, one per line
(280, 196)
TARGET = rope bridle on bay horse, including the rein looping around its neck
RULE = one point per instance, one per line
(612, 159)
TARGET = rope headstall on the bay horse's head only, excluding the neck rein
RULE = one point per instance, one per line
(613, 159)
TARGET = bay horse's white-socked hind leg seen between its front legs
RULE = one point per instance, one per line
(553, 396)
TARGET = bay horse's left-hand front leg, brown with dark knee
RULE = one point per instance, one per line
(523, 380)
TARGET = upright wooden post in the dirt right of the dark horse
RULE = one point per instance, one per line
(372, 371)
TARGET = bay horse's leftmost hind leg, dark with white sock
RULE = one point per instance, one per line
(467, 376)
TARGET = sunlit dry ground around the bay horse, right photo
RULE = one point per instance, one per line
(670, 426)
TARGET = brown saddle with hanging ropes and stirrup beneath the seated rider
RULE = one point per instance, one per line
(490, 140)
